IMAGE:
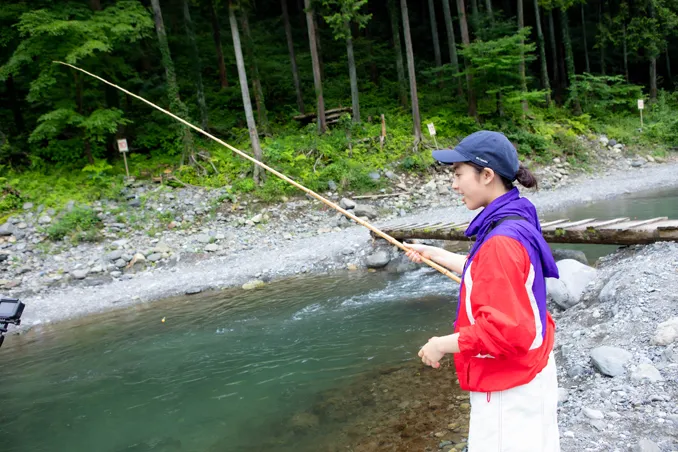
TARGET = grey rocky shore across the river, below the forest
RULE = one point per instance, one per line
(158, 241)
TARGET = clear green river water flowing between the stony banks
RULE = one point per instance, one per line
(227, 370)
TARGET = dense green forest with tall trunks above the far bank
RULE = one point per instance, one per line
(326, 91)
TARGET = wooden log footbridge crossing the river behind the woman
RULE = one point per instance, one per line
(617, 231)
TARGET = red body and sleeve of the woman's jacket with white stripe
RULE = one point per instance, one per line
(502, 340)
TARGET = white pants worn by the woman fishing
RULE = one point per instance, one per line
(520, 419)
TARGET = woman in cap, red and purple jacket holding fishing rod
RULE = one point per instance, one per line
(503, 335)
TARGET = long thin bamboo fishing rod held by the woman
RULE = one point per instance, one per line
(378, 232)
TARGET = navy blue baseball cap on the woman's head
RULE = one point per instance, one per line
(484, 148)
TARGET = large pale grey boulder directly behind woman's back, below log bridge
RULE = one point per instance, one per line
(567, 290)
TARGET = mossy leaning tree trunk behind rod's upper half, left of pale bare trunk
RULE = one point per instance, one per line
(176, 105)
